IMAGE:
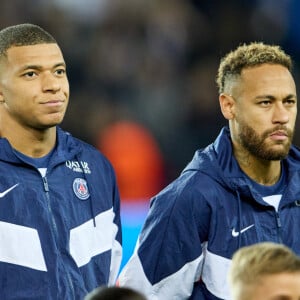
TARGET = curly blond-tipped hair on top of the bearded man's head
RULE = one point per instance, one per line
(246, 56)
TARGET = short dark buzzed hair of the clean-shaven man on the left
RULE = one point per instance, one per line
(23, 35)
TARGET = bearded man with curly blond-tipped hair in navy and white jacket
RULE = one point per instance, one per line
(240, 190)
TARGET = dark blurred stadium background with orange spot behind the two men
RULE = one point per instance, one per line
(142, 76)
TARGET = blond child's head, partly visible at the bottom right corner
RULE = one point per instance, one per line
(265, 271)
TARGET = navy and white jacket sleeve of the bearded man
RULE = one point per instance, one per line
(168, 256)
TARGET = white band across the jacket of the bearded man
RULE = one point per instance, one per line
(213, 271)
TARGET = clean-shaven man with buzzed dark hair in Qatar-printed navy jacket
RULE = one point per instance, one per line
(60, 234)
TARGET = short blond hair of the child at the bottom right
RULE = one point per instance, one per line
(250, 264)
